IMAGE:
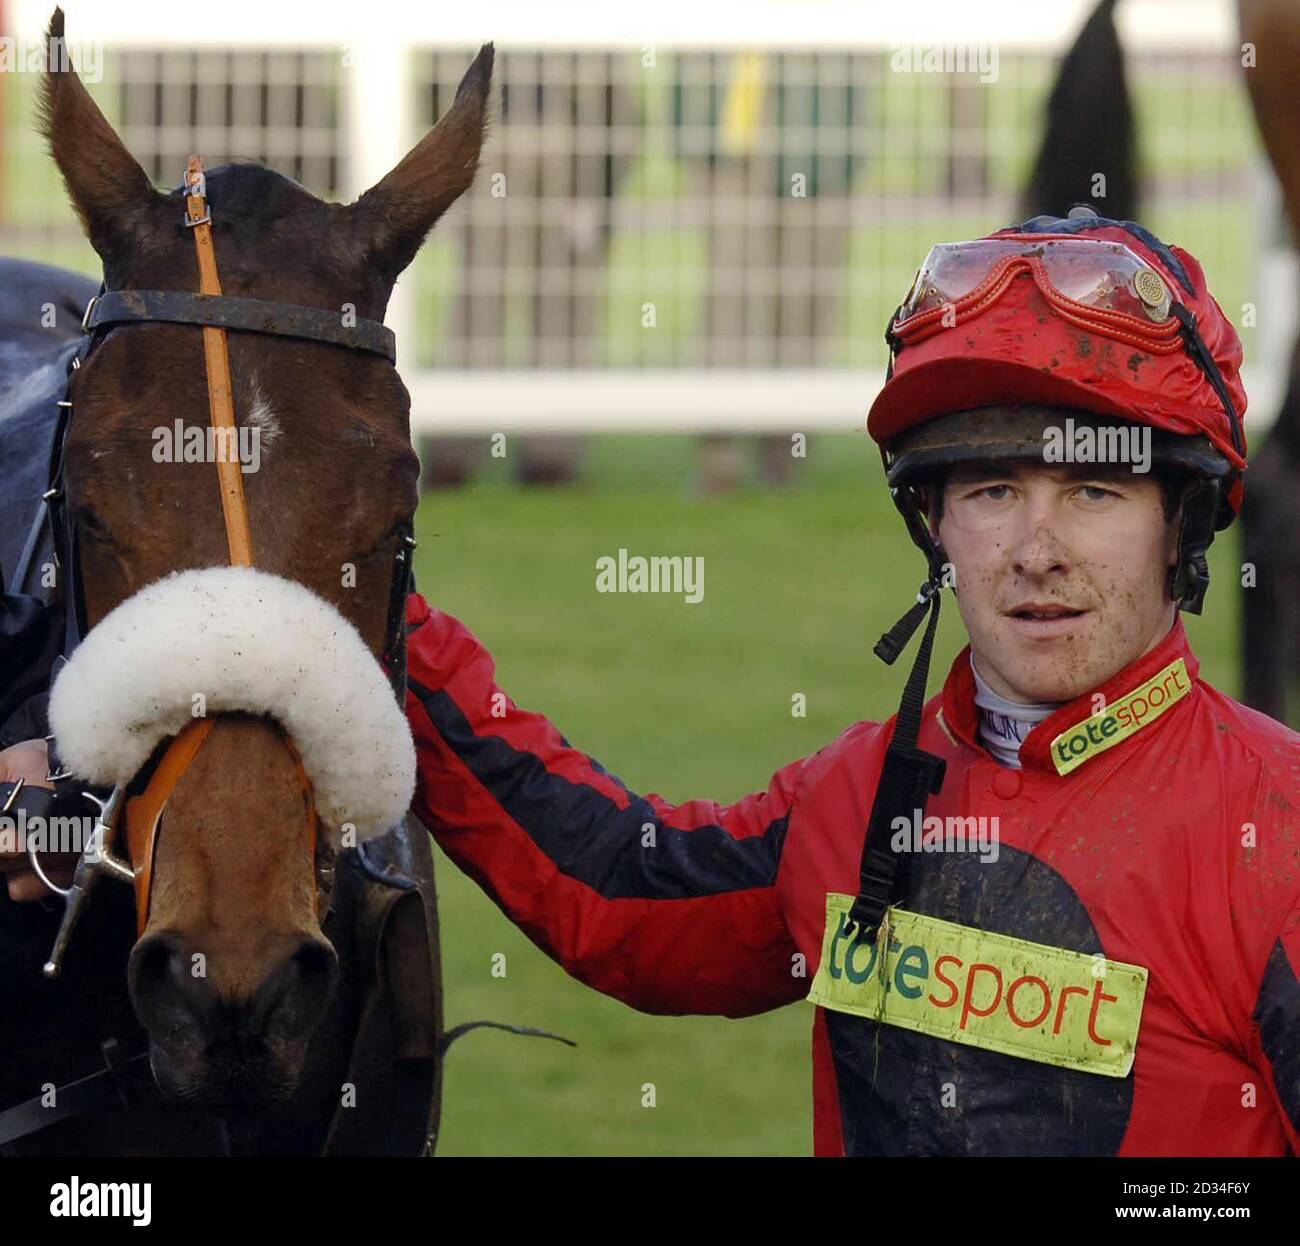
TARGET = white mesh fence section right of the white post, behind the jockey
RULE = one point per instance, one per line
(727, 209)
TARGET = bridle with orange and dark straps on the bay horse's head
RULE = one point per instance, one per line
(142, 803)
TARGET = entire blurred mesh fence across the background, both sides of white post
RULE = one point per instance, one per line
(691, 210)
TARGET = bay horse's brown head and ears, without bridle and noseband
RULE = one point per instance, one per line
(232, 974)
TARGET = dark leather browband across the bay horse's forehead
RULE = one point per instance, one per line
(226, 311)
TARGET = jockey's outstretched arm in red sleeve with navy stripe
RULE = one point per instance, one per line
(670, 908)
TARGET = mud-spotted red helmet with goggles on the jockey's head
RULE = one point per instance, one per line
(1082, 314)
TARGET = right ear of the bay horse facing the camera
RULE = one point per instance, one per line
(393, 218)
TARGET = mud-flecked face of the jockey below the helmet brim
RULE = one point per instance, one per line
(1061, 573)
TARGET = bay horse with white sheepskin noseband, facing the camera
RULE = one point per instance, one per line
(315, 1023)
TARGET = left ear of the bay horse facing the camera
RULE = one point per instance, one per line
(109, 189)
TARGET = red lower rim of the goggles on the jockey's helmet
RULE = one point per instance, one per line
(1159, 339)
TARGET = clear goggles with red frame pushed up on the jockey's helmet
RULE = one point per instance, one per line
(1100, 287)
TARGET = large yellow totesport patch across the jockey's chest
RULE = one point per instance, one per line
(982, 989)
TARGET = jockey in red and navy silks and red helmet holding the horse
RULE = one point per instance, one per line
(1055, 910)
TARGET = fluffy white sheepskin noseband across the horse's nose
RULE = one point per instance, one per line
(246, 641)
